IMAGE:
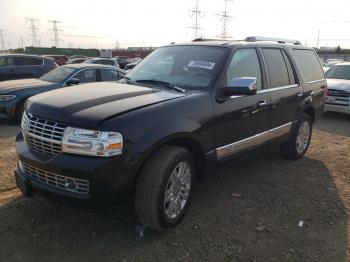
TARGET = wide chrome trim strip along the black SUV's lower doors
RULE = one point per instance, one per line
(252, 141)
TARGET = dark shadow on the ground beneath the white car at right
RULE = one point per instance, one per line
(334, 123)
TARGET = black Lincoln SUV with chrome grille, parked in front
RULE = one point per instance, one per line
(185, 109)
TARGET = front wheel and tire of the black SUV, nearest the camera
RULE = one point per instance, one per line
(157, 178)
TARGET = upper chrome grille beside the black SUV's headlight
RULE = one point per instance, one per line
(42, 136)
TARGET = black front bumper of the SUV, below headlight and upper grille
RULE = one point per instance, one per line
(110, 180)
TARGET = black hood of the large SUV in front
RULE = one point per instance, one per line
(89, 105)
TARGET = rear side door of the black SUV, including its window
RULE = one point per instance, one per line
(284, 88)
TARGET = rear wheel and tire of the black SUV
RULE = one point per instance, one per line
(298, 143)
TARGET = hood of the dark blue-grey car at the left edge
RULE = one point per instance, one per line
(11, 86)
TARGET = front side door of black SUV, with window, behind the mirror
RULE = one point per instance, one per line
(242, 122)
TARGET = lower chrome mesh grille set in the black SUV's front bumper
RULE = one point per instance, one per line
(70, 184)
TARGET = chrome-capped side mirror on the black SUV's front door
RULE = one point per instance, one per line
(241, 86)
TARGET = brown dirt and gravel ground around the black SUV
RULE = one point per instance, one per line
(260, 225)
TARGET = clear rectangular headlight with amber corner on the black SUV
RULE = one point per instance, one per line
(92, 143)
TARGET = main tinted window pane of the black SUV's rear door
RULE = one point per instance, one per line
(276, 66)
